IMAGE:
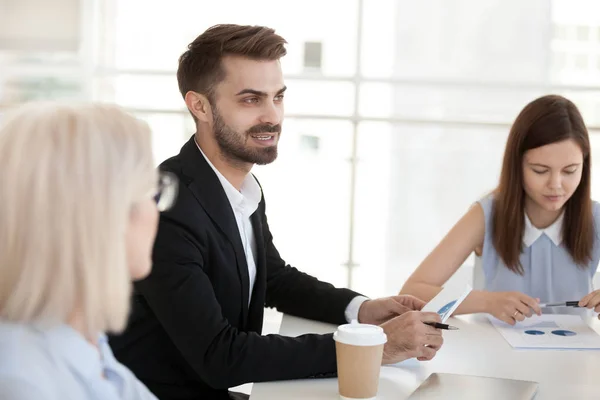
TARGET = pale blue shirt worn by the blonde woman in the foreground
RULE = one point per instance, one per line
(59, 364)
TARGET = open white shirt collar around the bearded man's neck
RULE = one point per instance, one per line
(245, 200)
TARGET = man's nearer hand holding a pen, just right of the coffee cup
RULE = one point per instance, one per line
(408, 337)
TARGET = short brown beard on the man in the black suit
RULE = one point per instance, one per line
(233, 144)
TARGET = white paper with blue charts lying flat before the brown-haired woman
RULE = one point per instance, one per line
(549, 331)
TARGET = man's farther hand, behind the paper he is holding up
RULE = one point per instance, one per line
(378, 311)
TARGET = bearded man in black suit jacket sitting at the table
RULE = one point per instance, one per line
(195, 328)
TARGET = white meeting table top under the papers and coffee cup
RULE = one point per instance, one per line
(476, 349)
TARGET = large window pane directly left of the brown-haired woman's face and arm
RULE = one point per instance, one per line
(413, 184)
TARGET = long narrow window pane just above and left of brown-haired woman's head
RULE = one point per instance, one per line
(446, 102)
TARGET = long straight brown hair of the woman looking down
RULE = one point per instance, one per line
(548, 119)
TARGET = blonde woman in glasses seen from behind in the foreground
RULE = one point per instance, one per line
(78, 217)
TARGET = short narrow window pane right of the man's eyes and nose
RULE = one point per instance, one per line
(319, 98)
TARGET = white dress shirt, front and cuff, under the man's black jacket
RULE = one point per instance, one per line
(244, 203)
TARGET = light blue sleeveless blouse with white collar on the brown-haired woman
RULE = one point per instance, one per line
(550, 273)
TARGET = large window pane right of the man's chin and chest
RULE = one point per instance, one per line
(307, 191)
